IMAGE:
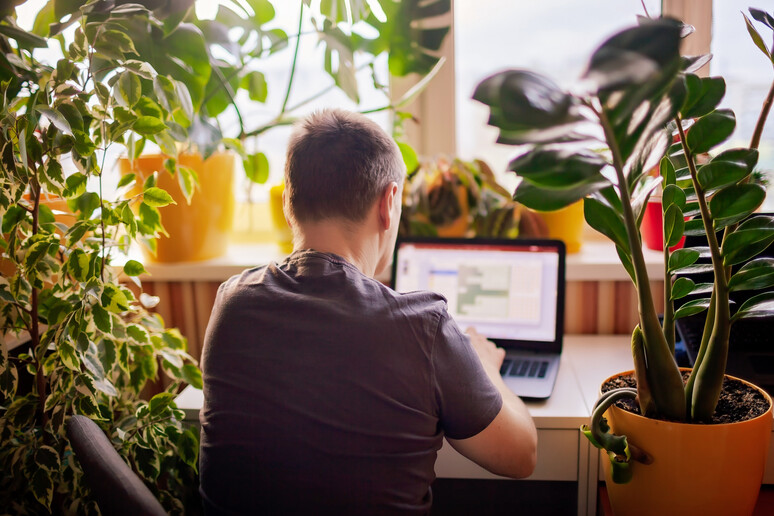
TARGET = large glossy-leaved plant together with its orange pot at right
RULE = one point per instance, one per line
(671, 457)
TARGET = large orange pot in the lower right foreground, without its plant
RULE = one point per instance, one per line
(697, 469)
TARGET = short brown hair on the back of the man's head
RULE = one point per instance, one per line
(338, 163)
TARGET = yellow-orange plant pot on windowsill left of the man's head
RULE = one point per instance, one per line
(198, 231)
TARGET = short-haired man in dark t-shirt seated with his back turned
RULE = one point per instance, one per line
(326, 392)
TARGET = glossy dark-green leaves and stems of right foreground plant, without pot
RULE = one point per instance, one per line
(628, 115)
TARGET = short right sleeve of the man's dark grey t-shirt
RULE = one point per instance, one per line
(467, 399)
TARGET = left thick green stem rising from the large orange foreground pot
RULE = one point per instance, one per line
(664, 377)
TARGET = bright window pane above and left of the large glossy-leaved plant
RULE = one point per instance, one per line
(551, 37)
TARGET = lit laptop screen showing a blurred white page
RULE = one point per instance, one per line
(505, 292)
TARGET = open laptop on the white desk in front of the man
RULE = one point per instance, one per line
(509, 290)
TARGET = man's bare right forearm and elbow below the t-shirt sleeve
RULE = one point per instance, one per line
(508, 446)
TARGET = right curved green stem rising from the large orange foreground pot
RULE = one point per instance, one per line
(709, 374)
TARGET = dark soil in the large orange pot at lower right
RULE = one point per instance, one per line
(738, 401)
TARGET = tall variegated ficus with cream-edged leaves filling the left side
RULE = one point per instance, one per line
(89, 344)
